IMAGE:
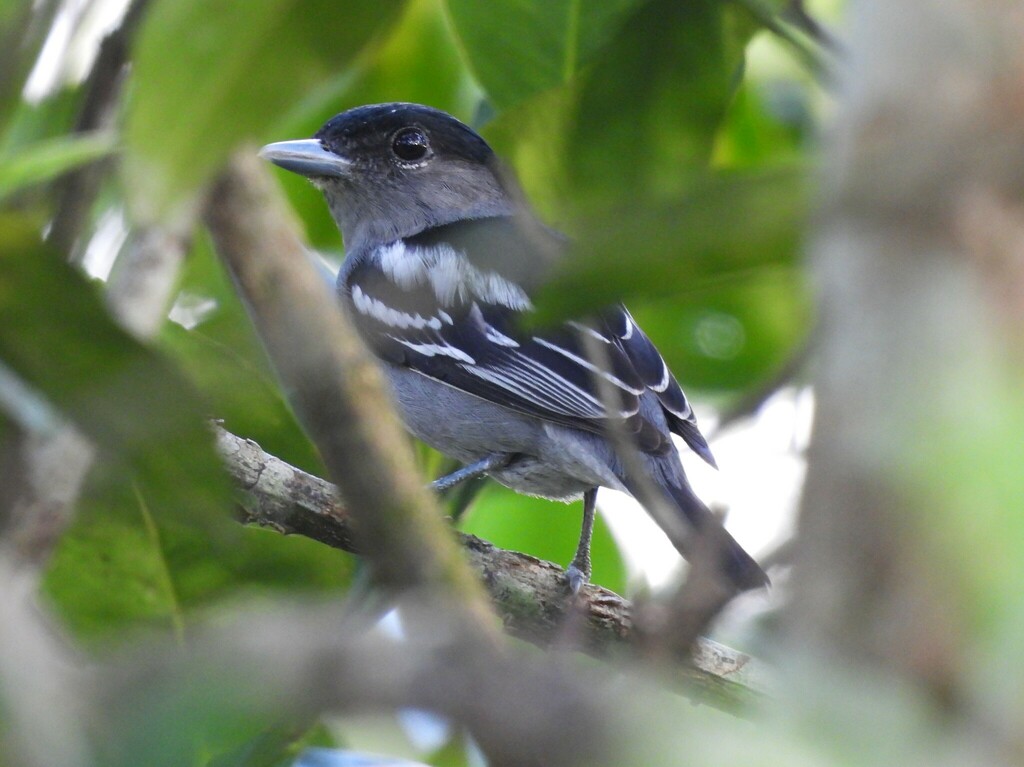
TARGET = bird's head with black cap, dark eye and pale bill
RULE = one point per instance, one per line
(393, 171)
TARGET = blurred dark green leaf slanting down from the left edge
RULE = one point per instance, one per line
(141, 412)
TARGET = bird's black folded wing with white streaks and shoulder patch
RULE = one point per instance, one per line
(426, 304)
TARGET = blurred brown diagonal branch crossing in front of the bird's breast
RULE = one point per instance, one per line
(337, 394)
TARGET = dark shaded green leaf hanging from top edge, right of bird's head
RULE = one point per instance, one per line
(653, 103)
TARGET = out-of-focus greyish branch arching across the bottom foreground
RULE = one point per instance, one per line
(523, 709)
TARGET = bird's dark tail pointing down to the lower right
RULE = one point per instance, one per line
(703, 529)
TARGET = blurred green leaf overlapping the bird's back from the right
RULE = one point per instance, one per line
(729, 228)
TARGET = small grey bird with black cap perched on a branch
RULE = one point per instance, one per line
(444, 257)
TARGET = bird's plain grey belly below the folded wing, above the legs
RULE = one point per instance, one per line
(550, 461)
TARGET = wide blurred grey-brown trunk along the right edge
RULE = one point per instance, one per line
(907, 567)
